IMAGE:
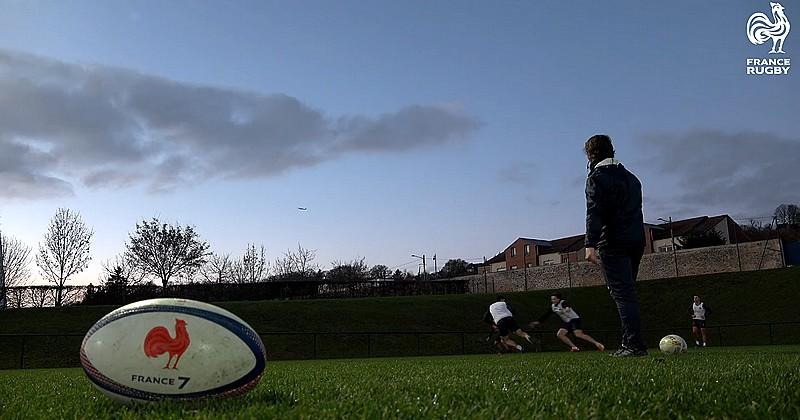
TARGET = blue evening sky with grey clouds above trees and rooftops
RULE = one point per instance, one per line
(414, 127)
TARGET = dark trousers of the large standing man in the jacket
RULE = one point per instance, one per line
(620, 267)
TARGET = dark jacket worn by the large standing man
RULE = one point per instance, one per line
(613, 207)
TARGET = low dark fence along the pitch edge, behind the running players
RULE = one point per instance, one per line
(61, 350)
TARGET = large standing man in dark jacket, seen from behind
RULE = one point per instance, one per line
(615, 235)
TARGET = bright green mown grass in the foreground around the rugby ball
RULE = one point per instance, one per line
(743, 382)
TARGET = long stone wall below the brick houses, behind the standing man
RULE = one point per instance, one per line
(692, 262)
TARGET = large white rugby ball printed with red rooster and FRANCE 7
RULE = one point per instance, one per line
(180, 349)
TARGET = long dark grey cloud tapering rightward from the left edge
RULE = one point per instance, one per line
(104, 127)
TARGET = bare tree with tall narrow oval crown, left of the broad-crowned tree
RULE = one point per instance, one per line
(65, 251)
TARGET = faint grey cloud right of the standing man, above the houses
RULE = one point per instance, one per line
(743, 174)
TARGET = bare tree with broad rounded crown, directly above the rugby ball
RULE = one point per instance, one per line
(164, 250)
